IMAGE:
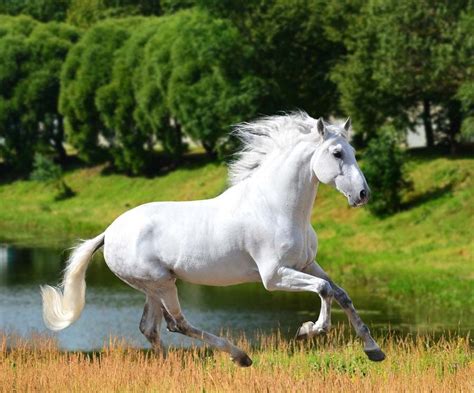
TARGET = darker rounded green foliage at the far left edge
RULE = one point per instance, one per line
(32, 56)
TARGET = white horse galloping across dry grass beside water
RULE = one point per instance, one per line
(258, 230)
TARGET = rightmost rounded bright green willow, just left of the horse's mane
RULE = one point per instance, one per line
(210, 87)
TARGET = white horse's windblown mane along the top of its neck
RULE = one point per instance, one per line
(265, 135)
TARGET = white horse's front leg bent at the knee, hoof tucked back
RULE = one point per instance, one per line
(287, 279)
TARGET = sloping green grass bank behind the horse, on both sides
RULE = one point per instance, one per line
(423, 254)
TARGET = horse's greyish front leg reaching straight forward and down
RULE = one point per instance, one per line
(371, 348)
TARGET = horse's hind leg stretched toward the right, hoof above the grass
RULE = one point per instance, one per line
(177, 323)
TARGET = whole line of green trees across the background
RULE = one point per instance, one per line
(117, 78)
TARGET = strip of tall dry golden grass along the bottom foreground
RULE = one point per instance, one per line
(416, 364)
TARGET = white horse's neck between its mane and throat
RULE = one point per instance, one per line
(288, 185)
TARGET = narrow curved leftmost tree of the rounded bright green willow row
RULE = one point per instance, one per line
(87, 68)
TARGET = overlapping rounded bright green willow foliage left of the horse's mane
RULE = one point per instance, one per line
(132, 82)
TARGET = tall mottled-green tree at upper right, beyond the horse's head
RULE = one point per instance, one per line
(405, 55)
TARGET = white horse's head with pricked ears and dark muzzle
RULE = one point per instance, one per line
(334, 163)
